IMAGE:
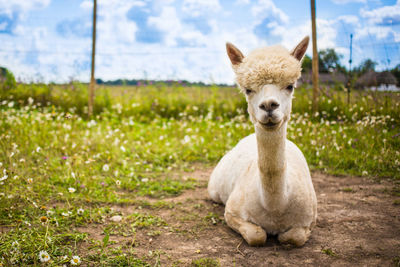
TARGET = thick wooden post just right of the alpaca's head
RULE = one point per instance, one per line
(315, 59)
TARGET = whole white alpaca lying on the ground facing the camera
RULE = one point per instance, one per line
(264, 181)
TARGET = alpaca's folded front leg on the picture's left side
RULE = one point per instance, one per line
(253, 234)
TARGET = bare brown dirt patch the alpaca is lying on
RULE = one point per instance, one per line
(358, 225)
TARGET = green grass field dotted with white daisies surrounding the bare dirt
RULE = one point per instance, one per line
(61, 170)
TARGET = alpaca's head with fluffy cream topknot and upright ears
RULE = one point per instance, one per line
(267, 77)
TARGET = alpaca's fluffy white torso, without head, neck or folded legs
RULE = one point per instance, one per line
(236, 182)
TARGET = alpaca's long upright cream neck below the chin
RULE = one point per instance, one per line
(272, 165)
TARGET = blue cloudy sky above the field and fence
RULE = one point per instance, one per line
(50, 40)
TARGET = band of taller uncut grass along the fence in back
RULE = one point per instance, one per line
(145, 103)
